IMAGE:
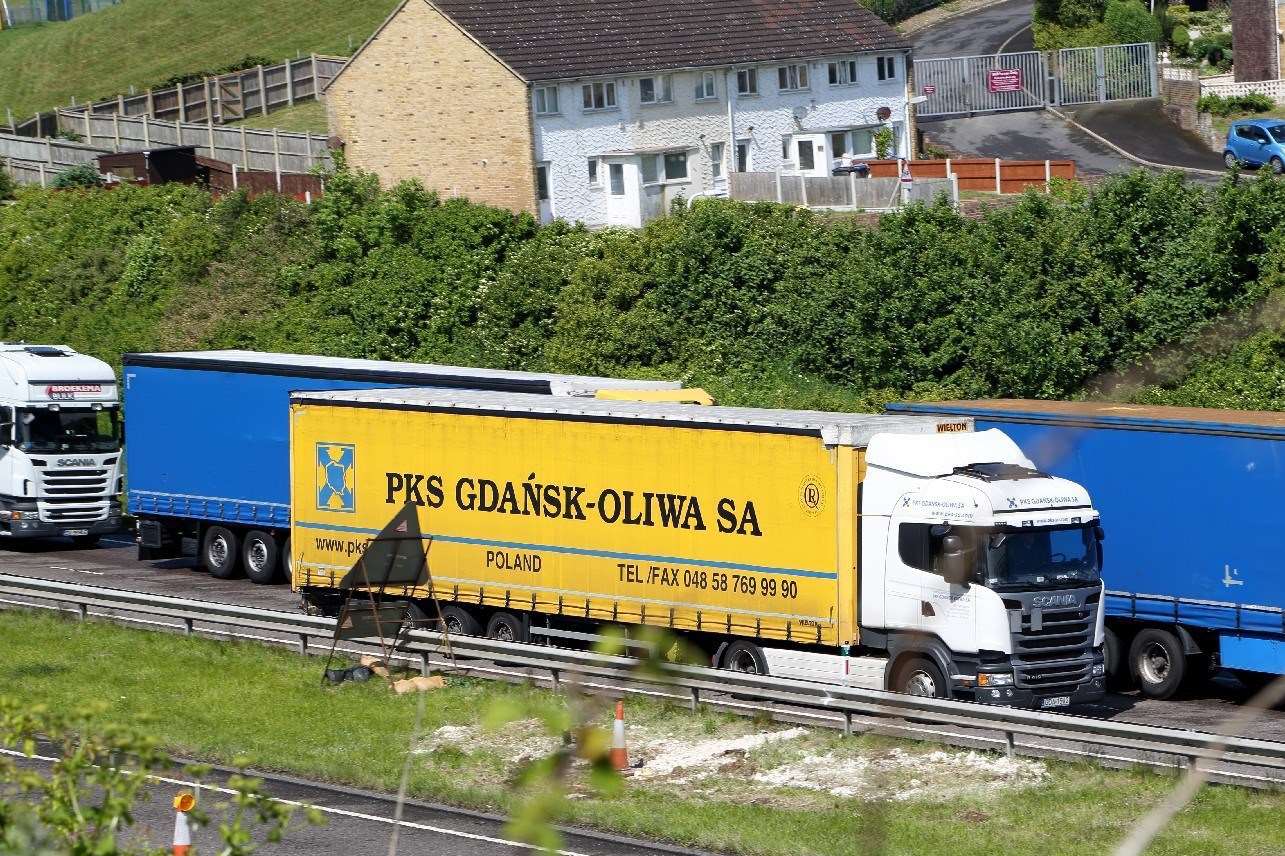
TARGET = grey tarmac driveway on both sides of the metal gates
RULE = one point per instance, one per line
(1139, 127)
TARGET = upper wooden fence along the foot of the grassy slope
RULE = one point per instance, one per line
(227, 98)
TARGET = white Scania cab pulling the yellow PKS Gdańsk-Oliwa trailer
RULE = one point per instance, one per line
(986, 569)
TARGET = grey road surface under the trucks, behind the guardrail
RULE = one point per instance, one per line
(112, 565)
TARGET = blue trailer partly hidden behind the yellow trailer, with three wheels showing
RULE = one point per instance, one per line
(208, 452)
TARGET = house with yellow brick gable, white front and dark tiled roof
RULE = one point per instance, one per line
(606, 111)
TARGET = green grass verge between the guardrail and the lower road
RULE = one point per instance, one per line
(223, 701)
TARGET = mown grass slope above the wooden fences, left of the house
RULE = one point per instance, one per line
(145, 42)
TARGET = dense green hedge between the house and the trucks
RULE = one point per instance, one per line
(763, 304)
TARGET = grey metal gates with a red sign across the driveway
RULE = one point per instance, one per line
(1032, 80)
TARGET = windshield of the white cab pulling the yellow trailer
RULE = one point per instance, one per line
(1043, 557)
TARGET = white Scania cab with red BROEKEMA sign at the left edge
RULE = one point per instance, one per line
(60, 444)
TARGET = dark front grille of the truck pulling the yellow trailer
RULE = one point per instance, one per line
(1054, 654)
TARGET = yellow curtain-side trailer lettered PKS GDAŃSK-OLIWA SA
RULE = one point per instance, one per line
(718, 520)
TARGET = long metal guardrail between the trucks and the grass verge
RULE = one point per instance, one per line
(1106, 738)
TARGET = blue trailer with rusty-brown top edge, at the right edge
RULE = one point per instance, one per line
(1194, 570)
